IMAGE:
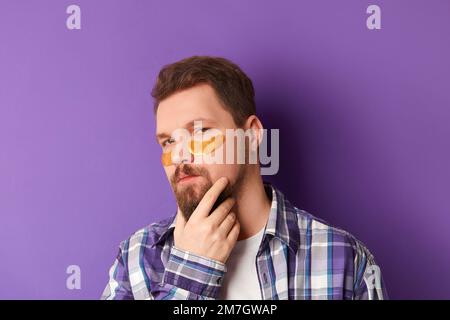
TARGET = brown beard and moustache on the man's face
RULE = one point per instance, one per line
(189, 197)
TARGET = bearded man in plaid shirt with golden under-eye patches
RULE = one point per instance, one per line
(233, 236)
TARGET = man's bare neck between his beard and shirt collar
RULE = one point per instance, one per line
(252, 206)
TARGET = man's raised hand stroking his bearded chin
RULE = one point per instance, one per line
(210, 235)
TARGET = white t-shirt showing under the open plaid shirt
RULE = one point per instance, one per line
(241, 279)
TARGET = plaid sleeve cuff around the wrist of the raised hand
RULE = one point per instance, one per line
(190, 276)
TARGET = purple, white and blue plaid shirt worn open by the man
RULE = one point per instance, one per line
(300, 257)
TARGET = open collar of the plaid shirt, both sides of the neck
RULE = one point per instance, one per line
(282, 222)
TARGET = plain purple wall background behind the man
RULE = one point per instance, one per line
(363, 117)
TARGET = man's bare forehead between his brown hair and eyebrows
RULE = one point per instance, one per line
(181, 108)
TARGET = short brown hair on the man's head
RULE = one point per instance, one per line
(232, 86)
